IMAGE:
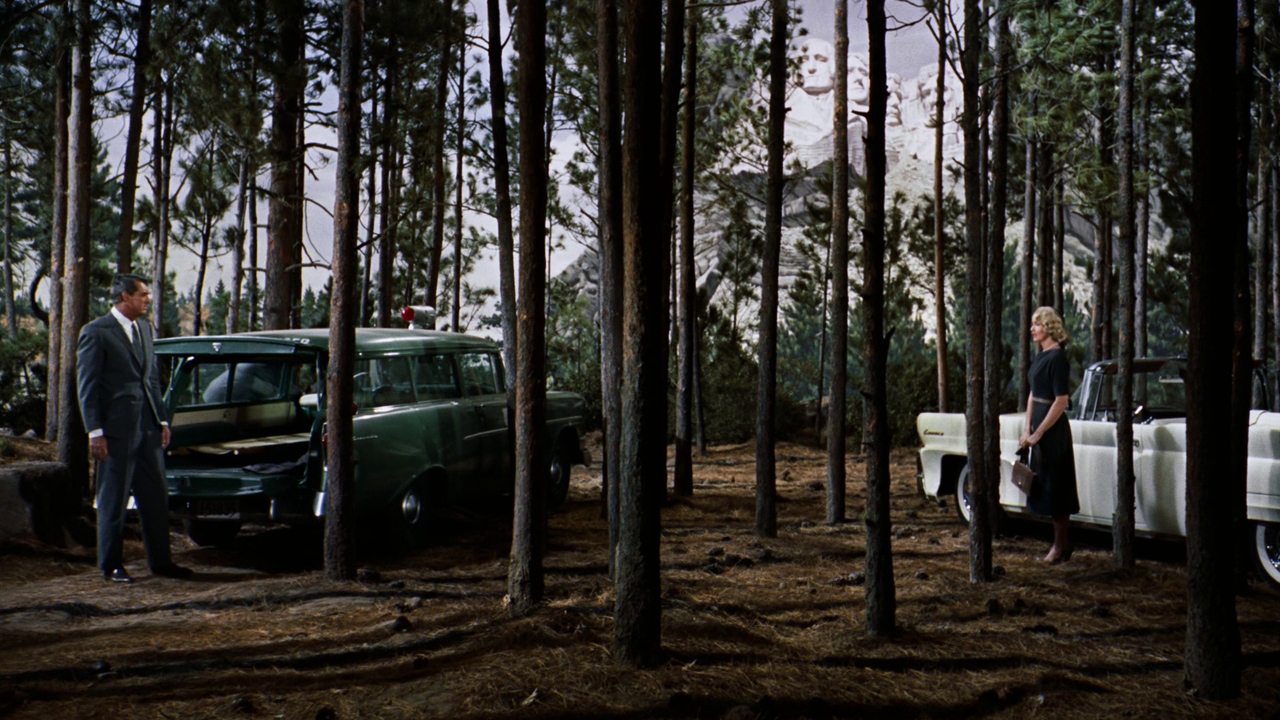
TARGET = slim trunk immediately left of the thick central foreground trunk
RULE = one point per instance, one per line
(610, 217)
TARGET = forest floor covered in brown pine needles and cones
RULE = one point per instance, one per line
(751, 628)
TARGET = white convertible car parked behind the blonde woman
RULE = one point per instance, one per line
(1159, 458)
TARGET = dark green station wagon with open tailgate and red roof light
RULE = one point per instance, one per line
(431, 429)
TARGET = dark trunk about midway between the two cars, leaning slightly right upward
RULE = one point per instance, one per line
(766, 471)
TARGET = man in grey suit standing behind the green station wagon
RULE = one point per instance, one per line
(121, 400)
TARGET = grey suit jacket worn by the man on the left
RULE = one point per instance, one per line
(116, 385)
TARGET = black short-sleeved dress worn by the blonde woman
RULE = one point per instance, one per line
(1054, 493)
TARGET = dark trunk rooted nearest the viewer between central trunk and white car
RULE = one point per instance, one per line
(881, 596)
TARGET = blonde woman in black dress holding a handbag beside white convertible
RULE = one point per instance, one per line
(1054, 493)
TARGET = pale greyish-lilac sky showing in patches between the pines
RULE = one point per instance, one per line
(907, 51)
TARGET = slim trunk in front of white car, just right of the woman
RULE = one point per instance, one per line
(1123, 523)
